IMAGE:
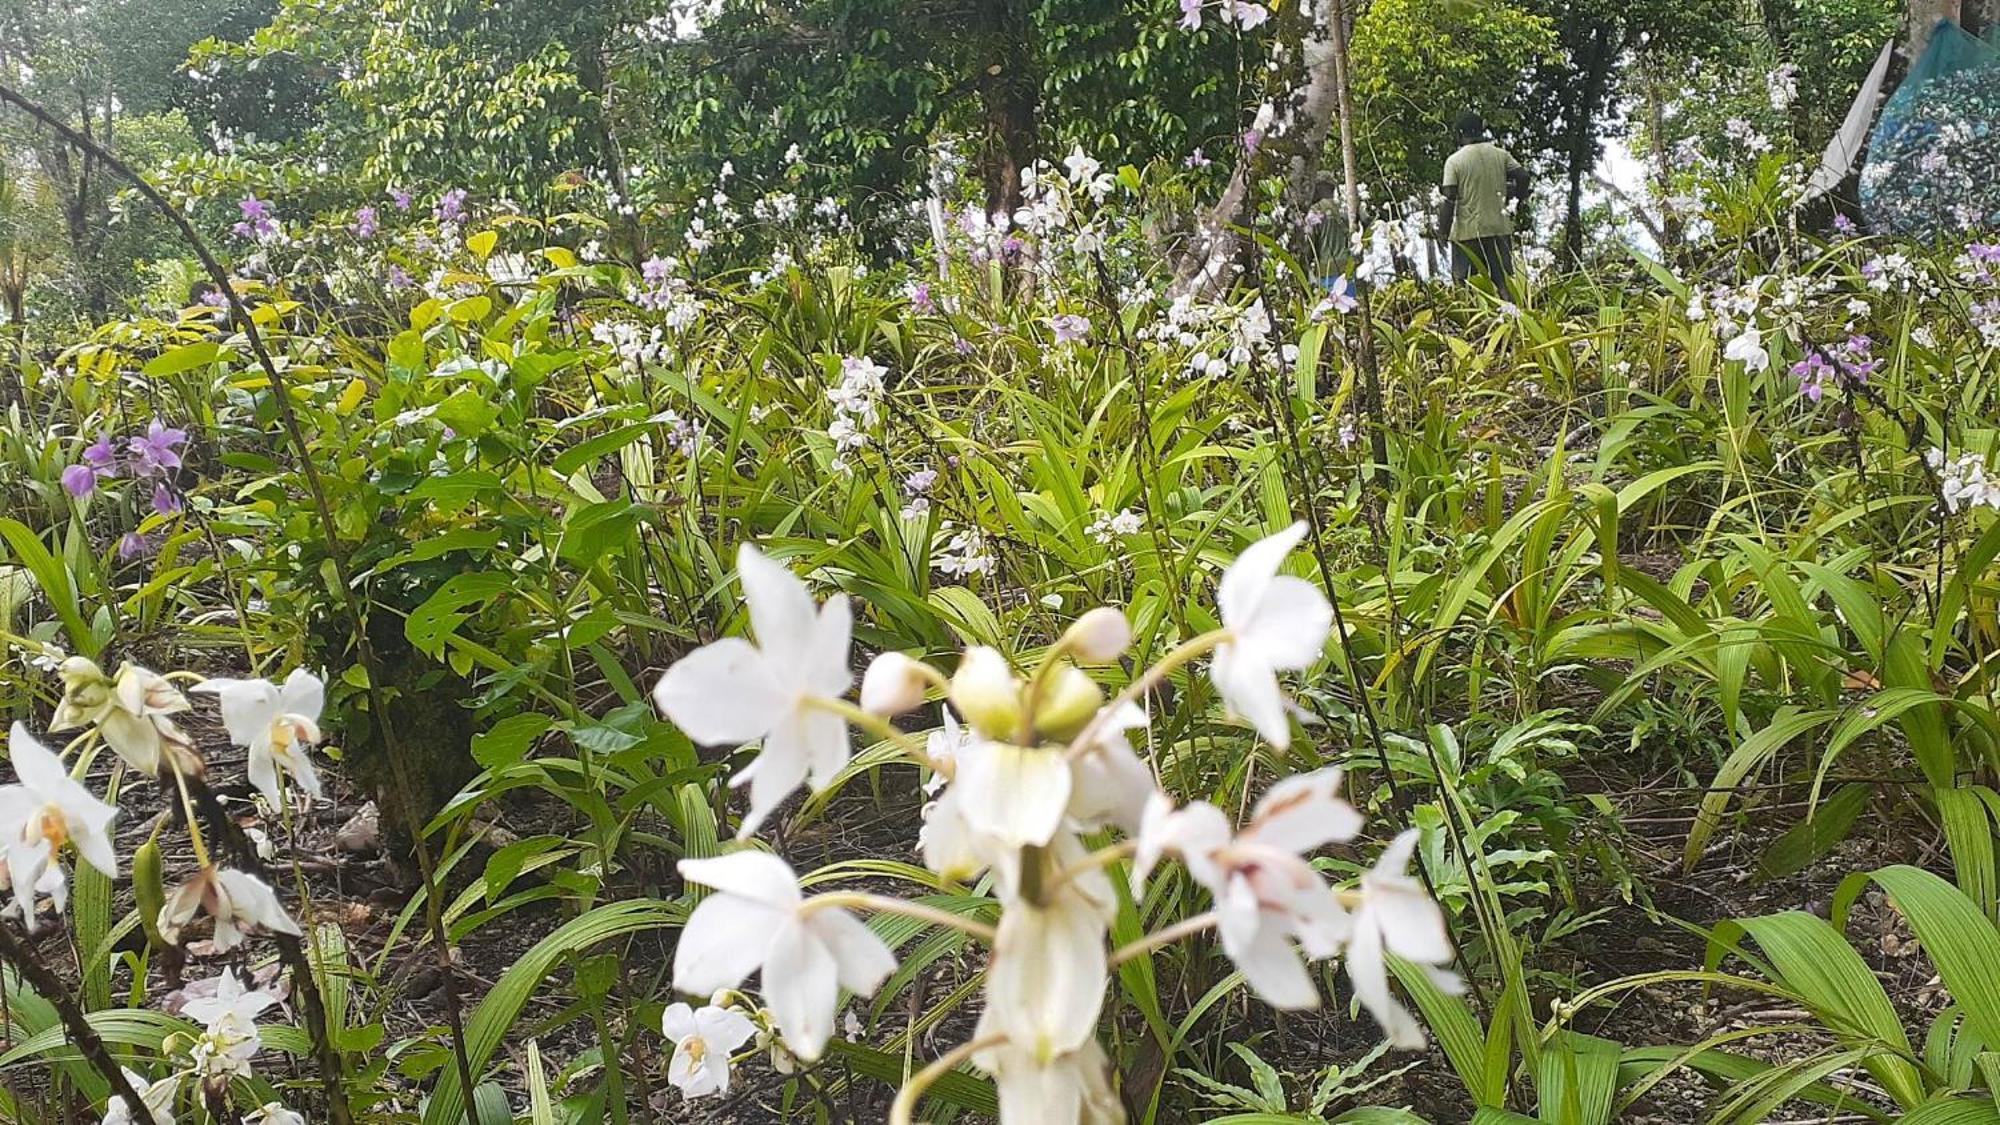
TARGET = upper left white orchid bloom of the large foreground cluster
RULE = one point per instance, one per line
(735, 692)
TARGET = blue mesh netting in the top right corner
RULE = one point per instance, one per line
(1935, 153)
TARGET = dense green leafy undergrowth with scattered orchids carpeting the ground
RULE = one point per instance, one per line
(1715, 533)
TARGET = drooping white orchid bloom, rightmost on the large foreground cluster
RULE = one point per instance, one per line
(1399, 918)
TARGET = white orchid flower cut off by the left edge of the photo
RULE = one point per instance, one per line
(41, 814)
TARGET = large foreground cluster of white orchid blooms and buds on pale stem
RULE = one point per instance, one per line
(1023, 770)
